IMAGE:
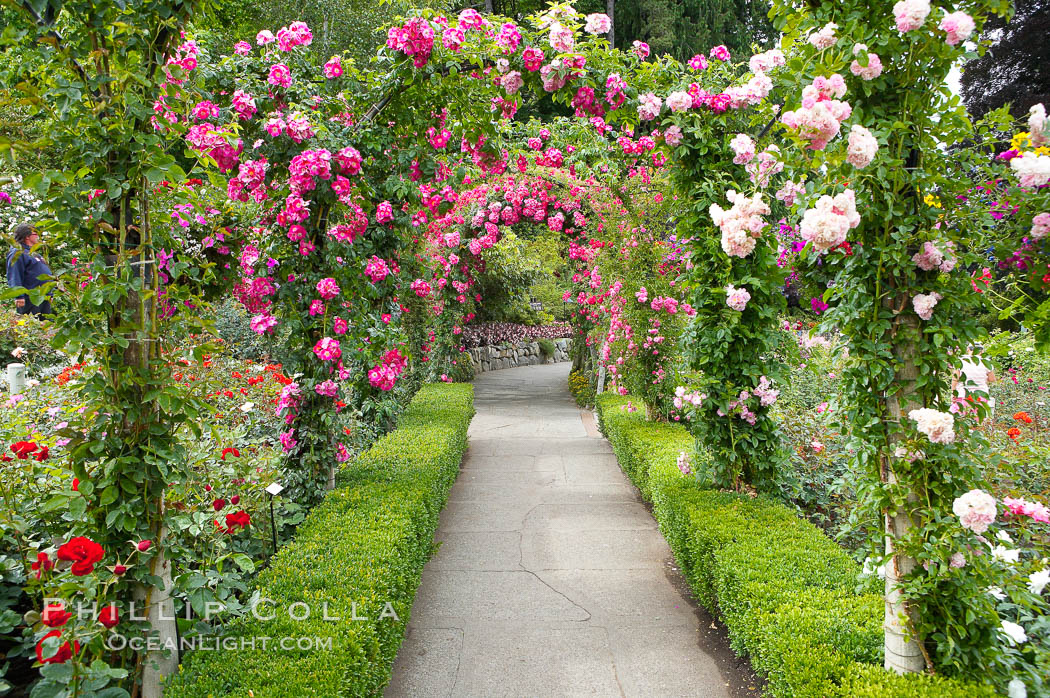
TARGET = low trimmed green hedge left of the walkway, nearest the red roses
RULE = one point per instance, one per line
(366, 544)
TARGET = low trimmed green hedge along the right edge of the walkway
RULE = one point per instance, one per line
(788, 595)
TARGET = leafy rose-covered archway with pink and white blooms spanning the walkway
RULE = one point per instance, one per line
(351, 209)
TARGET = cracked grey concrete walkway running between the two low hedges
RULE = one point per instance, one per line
(552, 579)
